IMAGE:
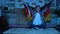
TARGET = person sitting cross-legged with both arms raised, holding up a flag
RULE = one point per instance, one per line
(37, 17)
